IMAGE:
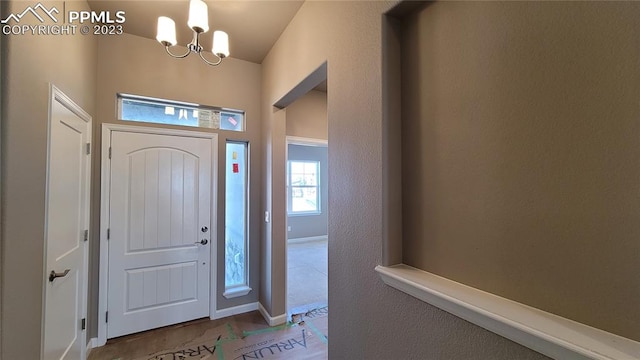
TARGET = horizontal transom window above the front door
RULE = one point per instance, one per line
(160, 111)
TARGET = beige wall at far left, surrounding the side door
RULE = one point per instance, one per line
(30, 63)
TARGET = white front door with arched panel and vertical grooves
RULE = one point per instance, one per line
(159, 243)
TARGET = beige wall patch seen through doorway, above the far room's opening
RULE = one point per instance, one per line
(307, 116)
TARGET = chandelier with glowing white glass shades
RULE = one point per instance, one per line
(199, 23)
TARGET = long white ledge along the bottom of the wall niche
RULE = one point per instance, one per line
(549, 334)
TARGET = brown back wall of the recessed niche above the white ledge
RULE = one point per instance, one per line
(520, 157)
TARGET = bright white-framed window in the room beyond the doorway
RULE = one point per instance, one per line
(303, 187)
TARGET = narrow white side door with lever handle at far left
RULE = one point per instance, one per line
(67, 221)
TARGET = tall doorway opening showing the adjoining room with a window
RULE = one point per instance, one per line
(307, 202)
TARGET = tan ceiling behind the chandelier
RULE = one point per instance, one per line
(253, 25)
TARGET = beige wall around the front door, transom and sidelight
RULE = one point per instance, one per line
(135, 65)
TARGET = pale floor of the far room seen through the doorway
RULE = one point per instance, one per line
(307, 279)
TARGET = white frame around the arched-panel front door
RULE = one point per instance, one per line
(105, 171)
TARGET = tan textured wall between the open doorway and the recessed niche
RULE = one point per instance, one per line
(367, 319)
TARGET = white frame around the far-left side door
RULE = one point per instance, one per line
(56, 95)
